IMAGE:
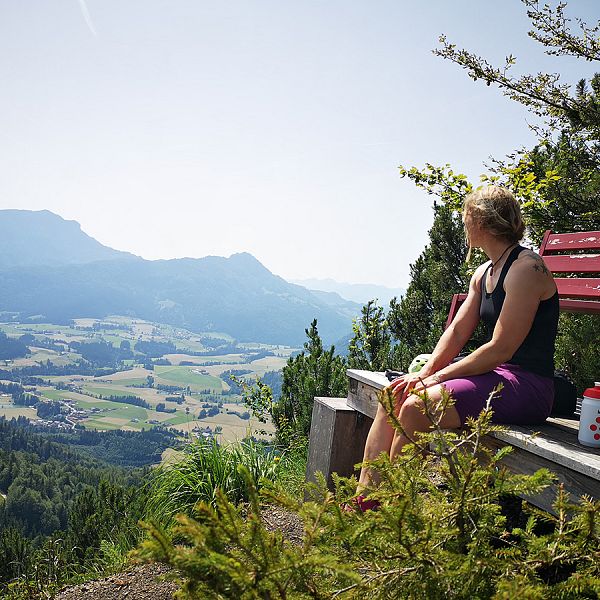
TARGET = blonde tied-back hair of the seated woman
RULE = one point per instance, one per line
(496, 210)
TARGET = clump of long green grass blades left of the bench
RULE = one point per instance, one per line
(207, 467)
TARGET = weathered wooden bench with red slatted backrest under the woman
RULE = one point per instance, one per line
(340, 426)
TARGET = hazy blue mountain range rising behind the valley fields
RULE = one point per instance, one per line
(51, 270)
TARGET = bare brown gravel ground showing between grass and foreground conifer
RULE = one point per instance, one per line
(151, 581)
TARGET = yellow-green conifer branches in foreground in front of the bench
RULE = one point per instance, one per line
(440, 533)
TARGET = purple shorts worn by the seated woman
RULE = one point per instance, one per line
(525, 399)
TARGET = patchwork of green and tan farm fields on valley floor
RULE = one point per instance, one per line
(191, 388)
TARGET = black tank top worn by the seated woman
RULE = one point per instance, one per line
(536, 353)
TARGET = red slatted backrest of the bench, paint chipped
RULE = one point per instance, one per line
(572, 258)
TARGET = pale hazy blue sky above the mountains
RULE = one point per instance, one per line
(174, 128)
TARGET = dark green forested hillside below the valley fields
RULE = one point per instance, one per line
(68, 487)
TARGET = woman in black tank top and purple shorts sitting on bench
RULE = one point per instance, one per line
(515, 296)
